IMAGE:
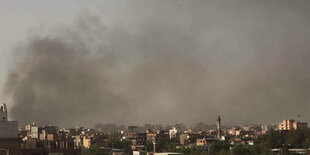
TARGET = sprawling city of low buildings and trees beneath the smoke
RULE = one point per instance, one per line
(107, 139)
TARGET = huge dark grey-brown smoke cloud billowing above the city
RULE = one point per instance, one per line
(167, 62)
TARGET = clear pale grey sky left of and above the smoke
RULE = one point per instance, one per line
(20, 18)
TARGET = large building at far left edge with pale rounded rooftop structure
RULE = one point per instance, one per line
(9, 140)
